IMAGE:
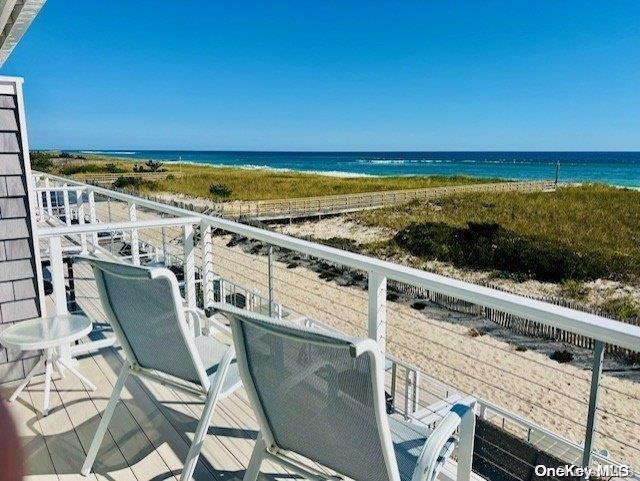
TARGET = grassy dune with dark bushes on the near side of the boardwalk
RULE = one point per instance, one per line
(576, 233)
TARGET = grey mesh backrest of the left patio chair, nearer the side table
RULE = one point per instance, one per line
(145, 310)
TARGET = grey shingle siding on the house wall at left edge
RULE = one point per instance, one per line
(18, 289)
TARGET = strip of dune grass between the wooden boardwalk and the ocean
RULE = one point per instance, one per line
(257, 184)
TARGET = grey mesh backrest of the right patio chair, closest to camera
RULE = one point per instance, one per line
(316, 394)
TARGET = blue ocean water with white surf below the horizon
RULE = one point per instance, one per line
(615, 168)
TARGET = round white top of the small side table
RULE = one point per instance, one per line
(47, 332)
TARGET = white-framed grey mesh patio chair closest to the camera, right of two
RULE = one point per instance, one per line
(321, 396)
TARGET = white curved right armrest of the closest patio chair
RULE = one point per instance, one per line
(442, 441)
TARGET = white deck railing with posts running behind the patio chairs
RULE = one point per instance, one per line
(378, 272)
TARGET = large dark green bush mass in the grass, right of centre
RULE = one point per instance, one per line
(490, 246)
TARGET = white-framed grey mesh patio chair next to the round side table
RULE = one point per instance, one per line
(145, 310)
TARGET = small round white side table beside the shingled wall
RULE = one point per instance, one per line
(49, 335)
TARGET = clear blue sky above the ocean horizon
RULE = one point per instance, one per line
(333, 75)
